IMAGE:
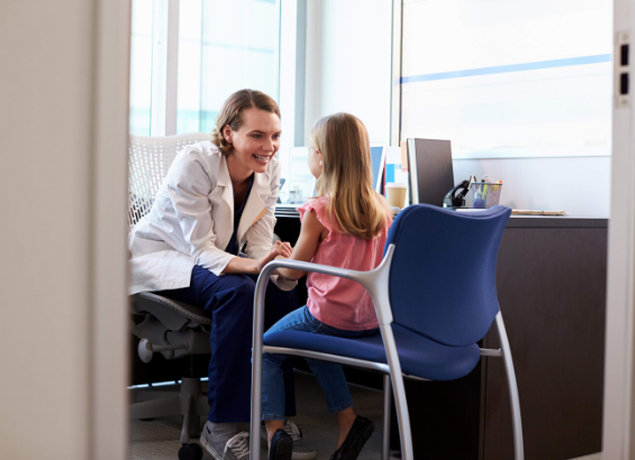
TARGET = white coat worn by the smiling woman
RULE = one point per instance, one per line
(192, 220)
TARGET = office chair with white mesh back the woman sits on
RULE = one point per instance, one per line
(175, 329)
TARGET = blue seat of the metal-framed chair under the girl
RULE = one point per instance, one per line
(418, 355)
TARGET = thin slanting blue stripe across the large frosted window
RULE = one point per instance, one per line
(599, 58)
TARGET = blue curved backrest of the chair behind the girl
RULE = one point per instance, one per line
(443, 276)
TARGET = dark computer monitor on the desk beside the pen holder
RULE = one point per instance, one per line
(431, 172)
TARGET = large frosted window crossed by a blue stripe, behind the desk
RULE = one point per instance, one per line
(509, 78)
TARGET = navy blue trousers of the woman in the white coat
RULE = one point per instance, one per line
(229, 299)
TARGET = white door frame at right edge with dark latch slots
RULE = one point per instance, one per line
(619, 426)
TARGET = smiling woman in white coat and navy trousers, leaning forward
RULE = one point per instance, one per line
(218, 200)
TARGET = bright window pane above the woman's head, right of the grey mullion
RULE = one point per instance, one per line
(223, 47)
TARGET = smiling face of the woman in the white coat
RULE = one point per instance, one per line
(255, 142)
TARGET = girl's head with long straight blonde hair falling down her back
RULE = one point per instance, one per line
(347, 179)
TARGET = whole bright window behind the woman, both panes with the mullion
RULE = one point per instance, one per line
(218, 48)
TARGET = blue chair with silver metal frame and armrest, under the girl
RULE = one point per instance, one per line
(435, 298)
